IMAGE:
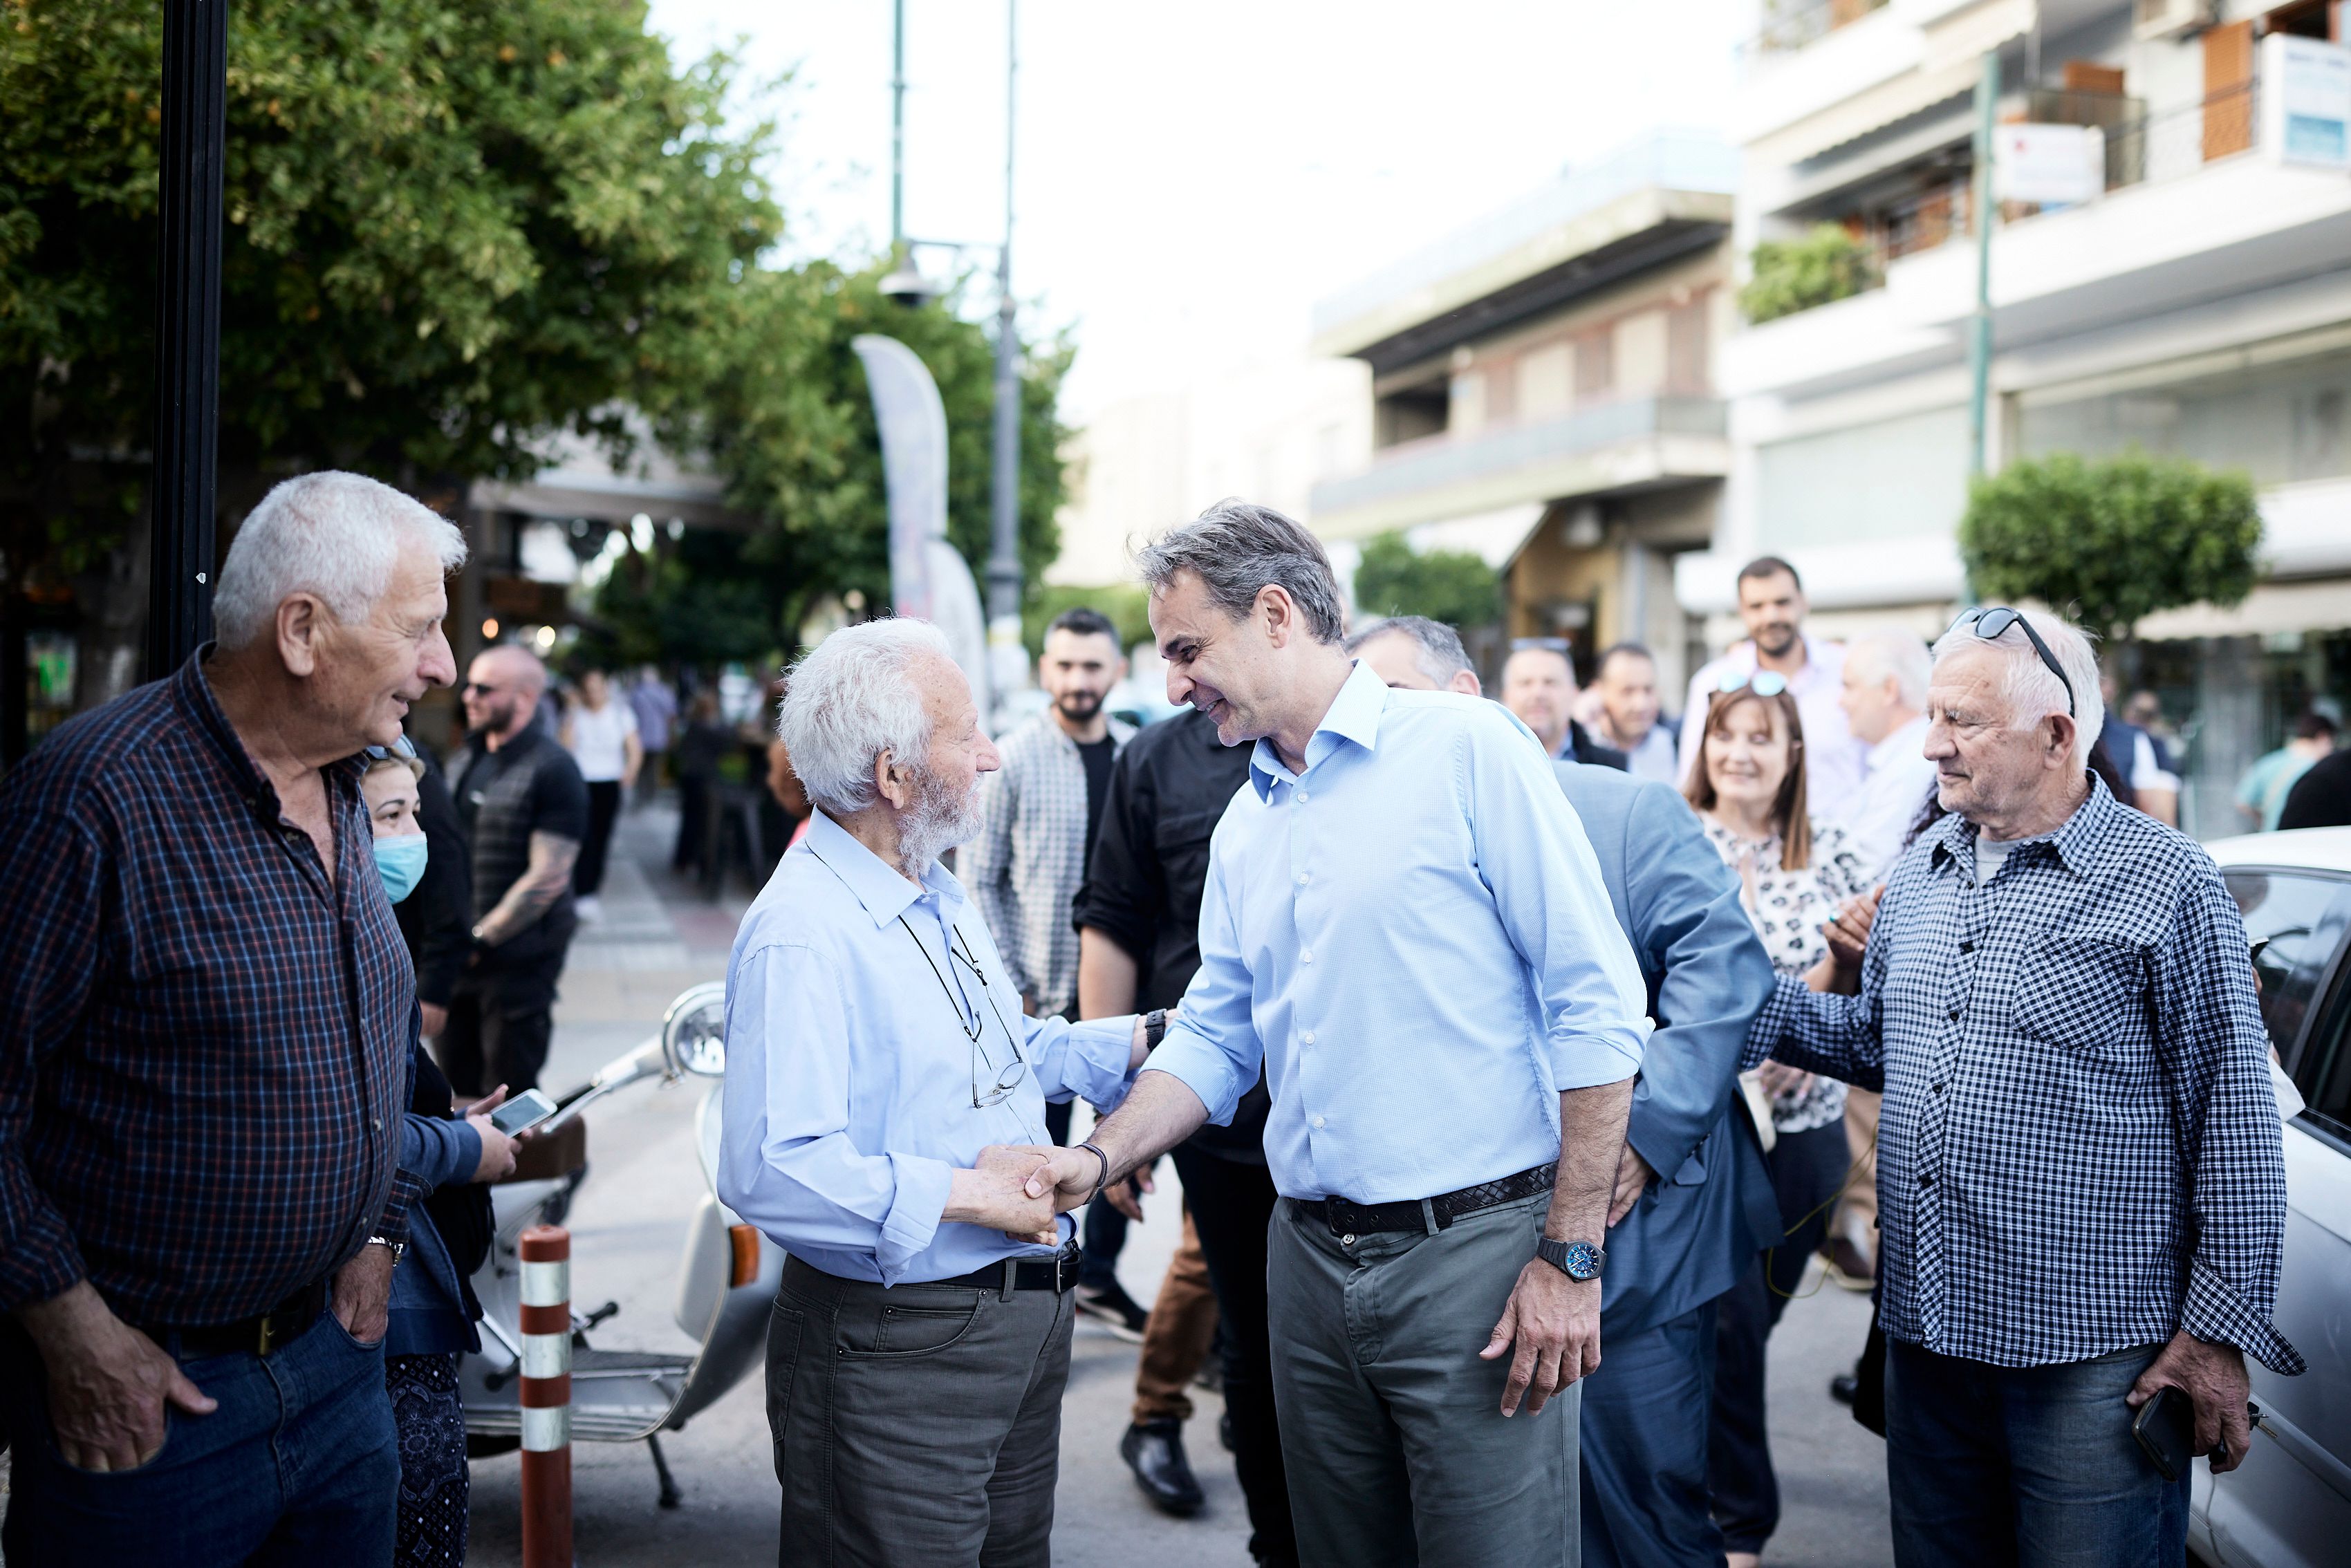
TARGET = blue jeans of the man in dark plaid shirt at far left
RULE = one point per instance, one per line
(300, 1466)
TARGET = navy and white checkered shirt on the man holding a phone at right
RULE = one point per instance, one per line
(2079, 1146)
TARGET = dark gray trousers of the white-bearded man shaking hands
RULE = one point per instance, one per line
(916, 1426)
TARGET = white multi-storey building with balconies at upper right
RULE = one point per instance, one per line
(2197, 302)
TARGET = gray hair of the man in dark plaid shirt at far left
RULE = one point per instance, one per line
(330, 535)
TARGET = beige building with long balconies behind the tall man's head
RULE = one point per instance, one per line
(1543, 391)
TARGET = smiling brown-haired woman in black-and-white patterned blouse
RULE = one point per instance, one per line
(1795, 873)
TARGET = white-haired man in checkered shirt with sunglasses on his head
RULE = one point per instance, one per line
(2079, 1162)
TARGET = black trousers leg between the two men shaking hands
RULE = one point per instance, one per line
(1231, 1209)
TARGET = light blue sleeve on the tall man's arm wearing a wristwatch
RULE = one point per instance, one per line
(1548, 890)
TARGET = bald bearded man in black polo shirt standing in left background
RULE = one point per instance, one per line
(523, 810)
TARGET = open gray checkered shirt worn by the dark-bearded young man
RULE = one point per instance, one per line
(1031, 855)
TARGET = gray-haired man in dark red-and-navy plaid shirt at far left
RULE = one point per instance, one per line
(206, 1031)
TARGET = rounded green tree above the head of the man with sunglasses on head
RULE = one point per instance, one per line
(2112, 542)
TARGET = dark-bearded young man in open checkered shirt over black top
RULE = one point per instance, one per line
(1038, 822)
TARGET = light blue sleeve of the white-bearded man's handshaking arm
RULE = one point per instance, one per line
(786, 1162)
